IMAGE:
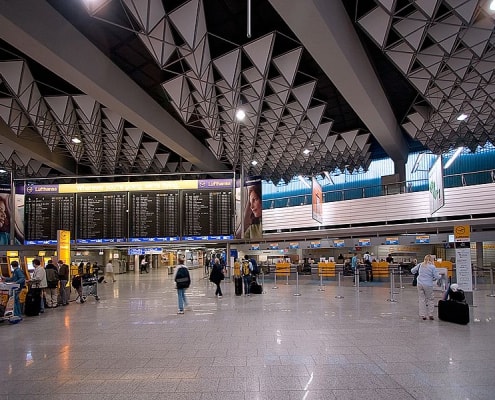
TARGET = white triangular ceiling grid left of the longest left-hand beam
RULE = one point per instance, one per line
(59, 119)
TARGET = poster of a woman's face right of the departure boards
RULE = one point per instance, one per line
(249, 222)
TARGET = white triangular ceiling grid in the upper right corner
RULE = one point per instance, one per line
(446, 50)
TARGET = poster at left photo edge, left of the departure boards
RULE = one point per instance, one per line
(11, 210)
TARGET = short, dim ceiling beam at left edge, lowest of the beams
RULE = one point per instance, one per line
(31, 144)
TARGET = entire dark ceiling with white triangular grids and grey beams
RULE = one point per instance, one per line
(153, 86)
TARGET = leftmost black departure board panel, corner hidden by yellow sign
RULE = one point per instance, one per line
(44, 215)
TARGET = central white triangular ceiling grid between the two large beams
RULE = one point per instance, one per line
(207, 92)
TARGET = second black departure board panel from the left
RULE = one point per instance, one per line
(101, 217)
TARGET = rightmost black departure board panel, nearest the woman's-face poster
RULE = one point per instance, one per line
(207, 214)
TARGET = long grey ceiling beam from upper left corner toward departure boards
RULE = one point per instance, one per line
(39, 31)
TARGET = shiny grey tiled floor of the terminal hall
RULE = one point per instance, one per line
(133, 345)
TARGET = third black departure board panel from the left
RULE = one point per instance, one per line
(154, 216)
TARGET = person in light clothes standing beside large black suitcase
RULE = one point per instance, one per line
(427, 274)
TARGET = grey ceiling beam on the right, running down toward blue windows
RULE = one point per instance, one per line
(325, 30)
